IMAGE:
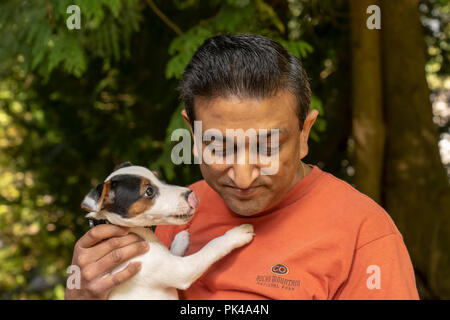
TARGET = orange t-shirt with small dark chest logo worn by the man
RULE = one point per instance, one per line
(324, 240)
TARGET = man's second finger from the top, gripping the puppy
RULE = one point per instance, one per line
(106, 246)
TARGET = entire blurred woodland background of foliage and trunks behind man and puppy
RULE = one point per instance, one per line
(74, 103)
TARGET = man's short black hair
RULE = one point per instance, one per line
(245, 66)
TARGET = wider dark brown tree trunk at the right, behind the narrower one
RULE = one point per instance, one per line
(416, 190)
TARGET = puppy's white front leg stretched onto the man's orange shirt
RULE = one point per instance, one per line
(190, 268)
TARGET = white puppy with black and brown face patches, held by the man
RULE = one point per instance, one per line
(133, 196)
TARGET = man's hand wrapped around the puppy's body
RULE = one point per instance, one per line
(97, 253)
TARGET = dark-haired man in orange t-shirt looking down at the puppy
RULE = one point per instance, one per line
(316, 236)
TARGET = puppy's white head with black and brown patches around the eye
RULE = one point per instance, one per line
(133, 196)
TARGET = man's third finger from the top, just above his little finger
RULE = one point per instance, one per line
(113, 259)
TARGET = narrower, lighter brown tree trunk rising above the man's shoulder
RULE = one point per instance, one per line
(367, 109)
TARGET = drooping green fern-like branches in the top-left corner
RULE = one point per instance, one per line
(39, 38)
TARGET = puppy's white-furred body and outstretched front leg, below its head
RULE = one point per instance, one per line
(163, 272)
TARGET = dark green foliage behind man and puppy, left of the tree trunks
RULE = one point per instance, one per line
(73, 103)
